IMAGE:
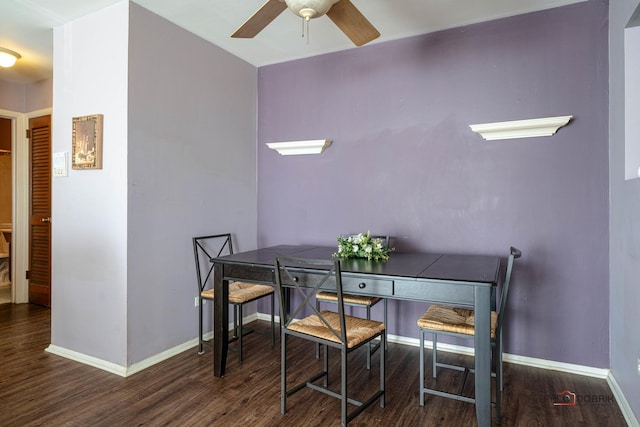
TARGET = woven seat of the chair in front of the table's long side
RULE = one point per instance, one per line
(358, 330)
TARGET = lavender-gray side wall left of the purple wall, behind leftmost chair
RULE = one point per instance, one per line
(191, 168)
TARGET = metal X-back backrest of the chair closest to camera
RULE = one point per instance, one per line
(304, 286)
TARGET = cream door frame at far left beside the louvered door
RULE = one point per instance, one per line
(20, 200)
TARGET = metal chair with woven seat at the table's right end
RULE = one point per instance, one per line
(459, 322)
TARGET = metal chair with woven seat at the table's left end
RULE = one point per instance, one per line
(205, 249)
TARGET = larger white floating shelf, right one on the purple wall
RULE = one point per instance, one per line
(521, 128)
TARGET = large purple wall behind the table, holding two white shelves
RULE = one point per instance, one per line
(405, 163)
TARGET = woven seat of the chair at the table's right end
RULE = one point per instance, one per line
(453, 319)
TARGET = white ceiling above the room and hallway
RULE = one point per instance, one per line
(26, 26)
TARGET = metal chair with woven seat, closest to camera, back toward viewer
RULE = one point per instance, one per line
(304, 278)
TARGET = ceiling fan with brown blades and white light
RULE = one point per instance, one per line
(342, 12)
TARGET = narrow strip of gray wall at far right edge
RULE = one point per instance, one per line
(624, 223)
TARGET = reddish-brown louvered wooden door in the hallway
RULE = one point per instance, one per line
(40, 229)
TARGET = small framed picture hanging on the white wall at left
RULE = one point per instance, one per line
(86, 146)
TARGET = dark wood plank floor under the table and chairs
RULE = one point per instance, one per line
(38, 388)
